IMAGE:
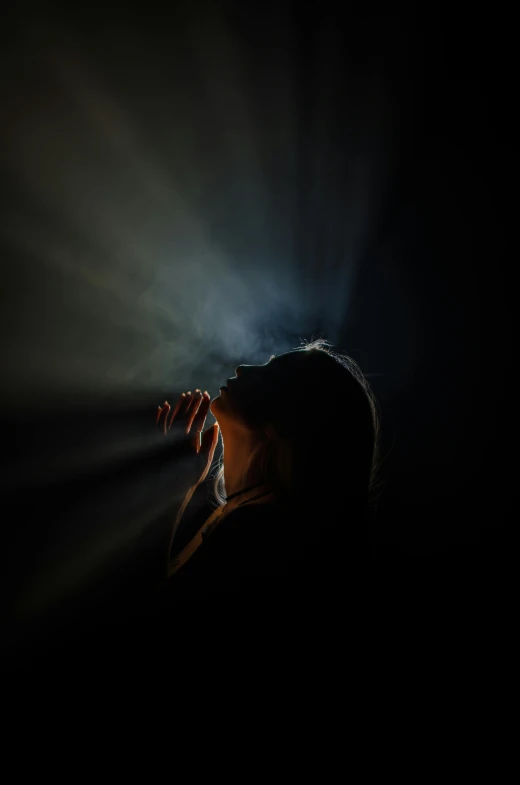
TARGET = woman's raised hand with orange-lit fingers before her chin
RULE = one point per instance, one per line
(184, 427)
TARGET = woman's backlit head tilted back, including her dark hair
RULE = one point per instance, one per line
(310, 420)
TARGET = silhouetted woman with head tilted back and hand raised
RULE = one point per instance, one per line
(300, 437)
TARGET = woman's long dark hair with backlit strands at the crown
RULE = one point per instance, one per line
(324, 441)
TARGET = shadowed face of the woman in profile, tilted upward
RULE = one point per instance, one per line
(258, 392)
